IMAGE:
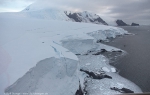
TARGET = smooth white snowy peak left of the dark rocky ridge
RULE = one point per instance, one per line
(47, 13)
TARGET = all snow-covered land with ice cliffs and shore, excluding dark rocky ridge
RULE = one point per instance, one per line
(44, 51)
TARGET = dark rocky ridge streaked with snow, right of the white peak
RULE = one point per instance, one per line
(86, 17)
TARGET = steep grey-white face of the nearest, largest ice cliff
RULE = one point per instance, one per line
(51, 76)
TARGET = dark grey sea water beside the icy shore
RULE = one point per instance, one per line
(135, 66)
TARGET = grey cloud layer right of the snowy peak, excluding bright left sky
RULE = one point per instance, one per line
(121, 9)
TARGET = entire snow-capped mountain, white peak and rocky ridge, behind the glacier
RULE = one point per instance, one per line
(56, 14)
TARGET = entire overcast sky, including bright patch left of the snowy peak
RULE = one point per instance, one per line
(128, 10)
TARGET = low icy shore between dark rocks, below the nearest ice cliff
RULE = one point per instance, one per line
(100, 64)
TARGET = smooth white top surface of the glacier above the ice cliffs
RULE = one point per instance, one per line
(26, 41)
